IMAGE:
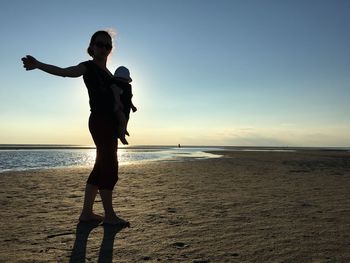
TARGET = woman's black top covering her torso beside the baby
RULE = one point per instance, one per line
(97, 82)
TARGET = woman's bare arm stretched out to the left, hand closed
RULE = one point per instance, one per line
(30, 63)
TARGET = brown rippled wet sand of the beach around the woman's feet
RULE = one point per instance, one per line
(243, 207)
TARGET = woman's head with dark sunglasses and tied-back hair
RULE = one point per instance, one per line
(100, 44)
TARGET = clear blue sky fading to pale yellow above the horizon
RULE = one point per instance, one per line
(230, 73)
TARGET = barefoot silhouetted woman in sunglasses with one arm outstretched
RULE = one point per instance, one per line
(102, 124)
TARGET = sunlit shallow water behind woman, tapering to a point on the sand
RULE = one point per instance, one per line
(24, 158)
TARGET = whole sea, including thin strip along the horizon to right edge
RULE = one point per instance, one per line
(26, 157)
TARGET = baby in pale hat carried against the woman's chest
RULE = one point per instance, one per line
(122, 92)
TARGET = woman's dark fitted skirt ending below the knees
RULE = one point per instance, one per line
(103, 130)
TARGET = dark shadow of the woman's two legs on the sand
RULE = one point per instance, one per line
(82, 234)
